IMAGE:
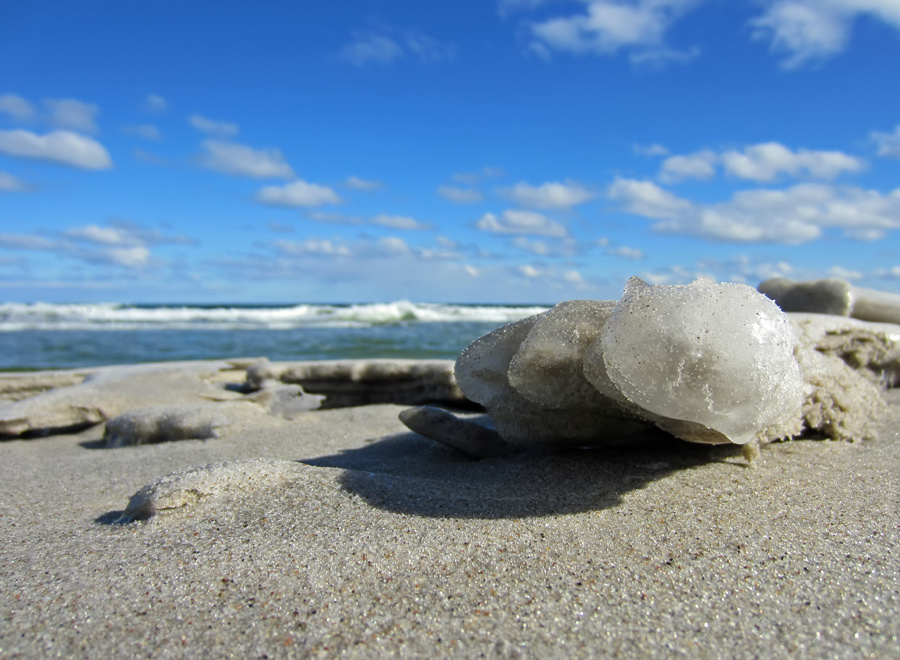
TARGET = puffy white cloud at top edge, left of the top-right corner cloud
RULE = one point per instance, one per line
(611, 25)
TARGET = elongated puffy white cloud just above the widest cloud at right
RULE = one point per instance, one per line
(766, 161)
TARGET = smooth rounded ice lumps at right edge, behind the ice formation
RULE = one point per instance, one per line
(833, 296)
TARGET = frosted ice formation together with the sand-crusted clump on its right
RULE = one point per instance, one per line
(706, 362)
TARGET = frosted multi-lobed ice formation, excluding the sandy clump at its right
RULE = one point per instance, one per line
(709, 363)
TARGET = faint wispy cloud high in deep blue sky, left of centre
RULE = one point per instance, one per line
(388, 46)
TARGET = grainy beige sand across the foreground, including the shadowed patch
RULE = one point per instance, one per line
(357, 538)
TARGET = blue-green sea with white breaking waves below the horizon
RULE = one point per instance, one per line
(65, 336)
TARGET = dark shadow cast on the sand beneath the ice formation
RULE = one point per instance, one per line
(405, 473)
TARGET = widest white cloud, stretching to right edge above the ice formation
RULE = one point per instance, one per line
(794, 215)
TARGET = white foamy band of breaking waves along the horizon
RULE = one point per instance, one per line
(18, 317)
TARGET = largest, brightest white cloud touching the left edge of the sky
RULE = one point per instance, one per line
(63, 147)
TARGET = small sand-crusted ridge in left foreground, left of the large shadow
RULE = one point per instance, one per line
(188, 487)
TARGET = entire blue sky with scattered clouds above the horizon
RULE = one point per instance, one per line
(468, 151)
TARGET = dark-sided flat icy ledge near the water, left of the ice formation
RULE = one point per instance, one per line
(345, 383)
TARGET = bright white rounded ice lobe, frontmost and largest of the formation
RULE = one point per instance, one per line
(717, 355)
